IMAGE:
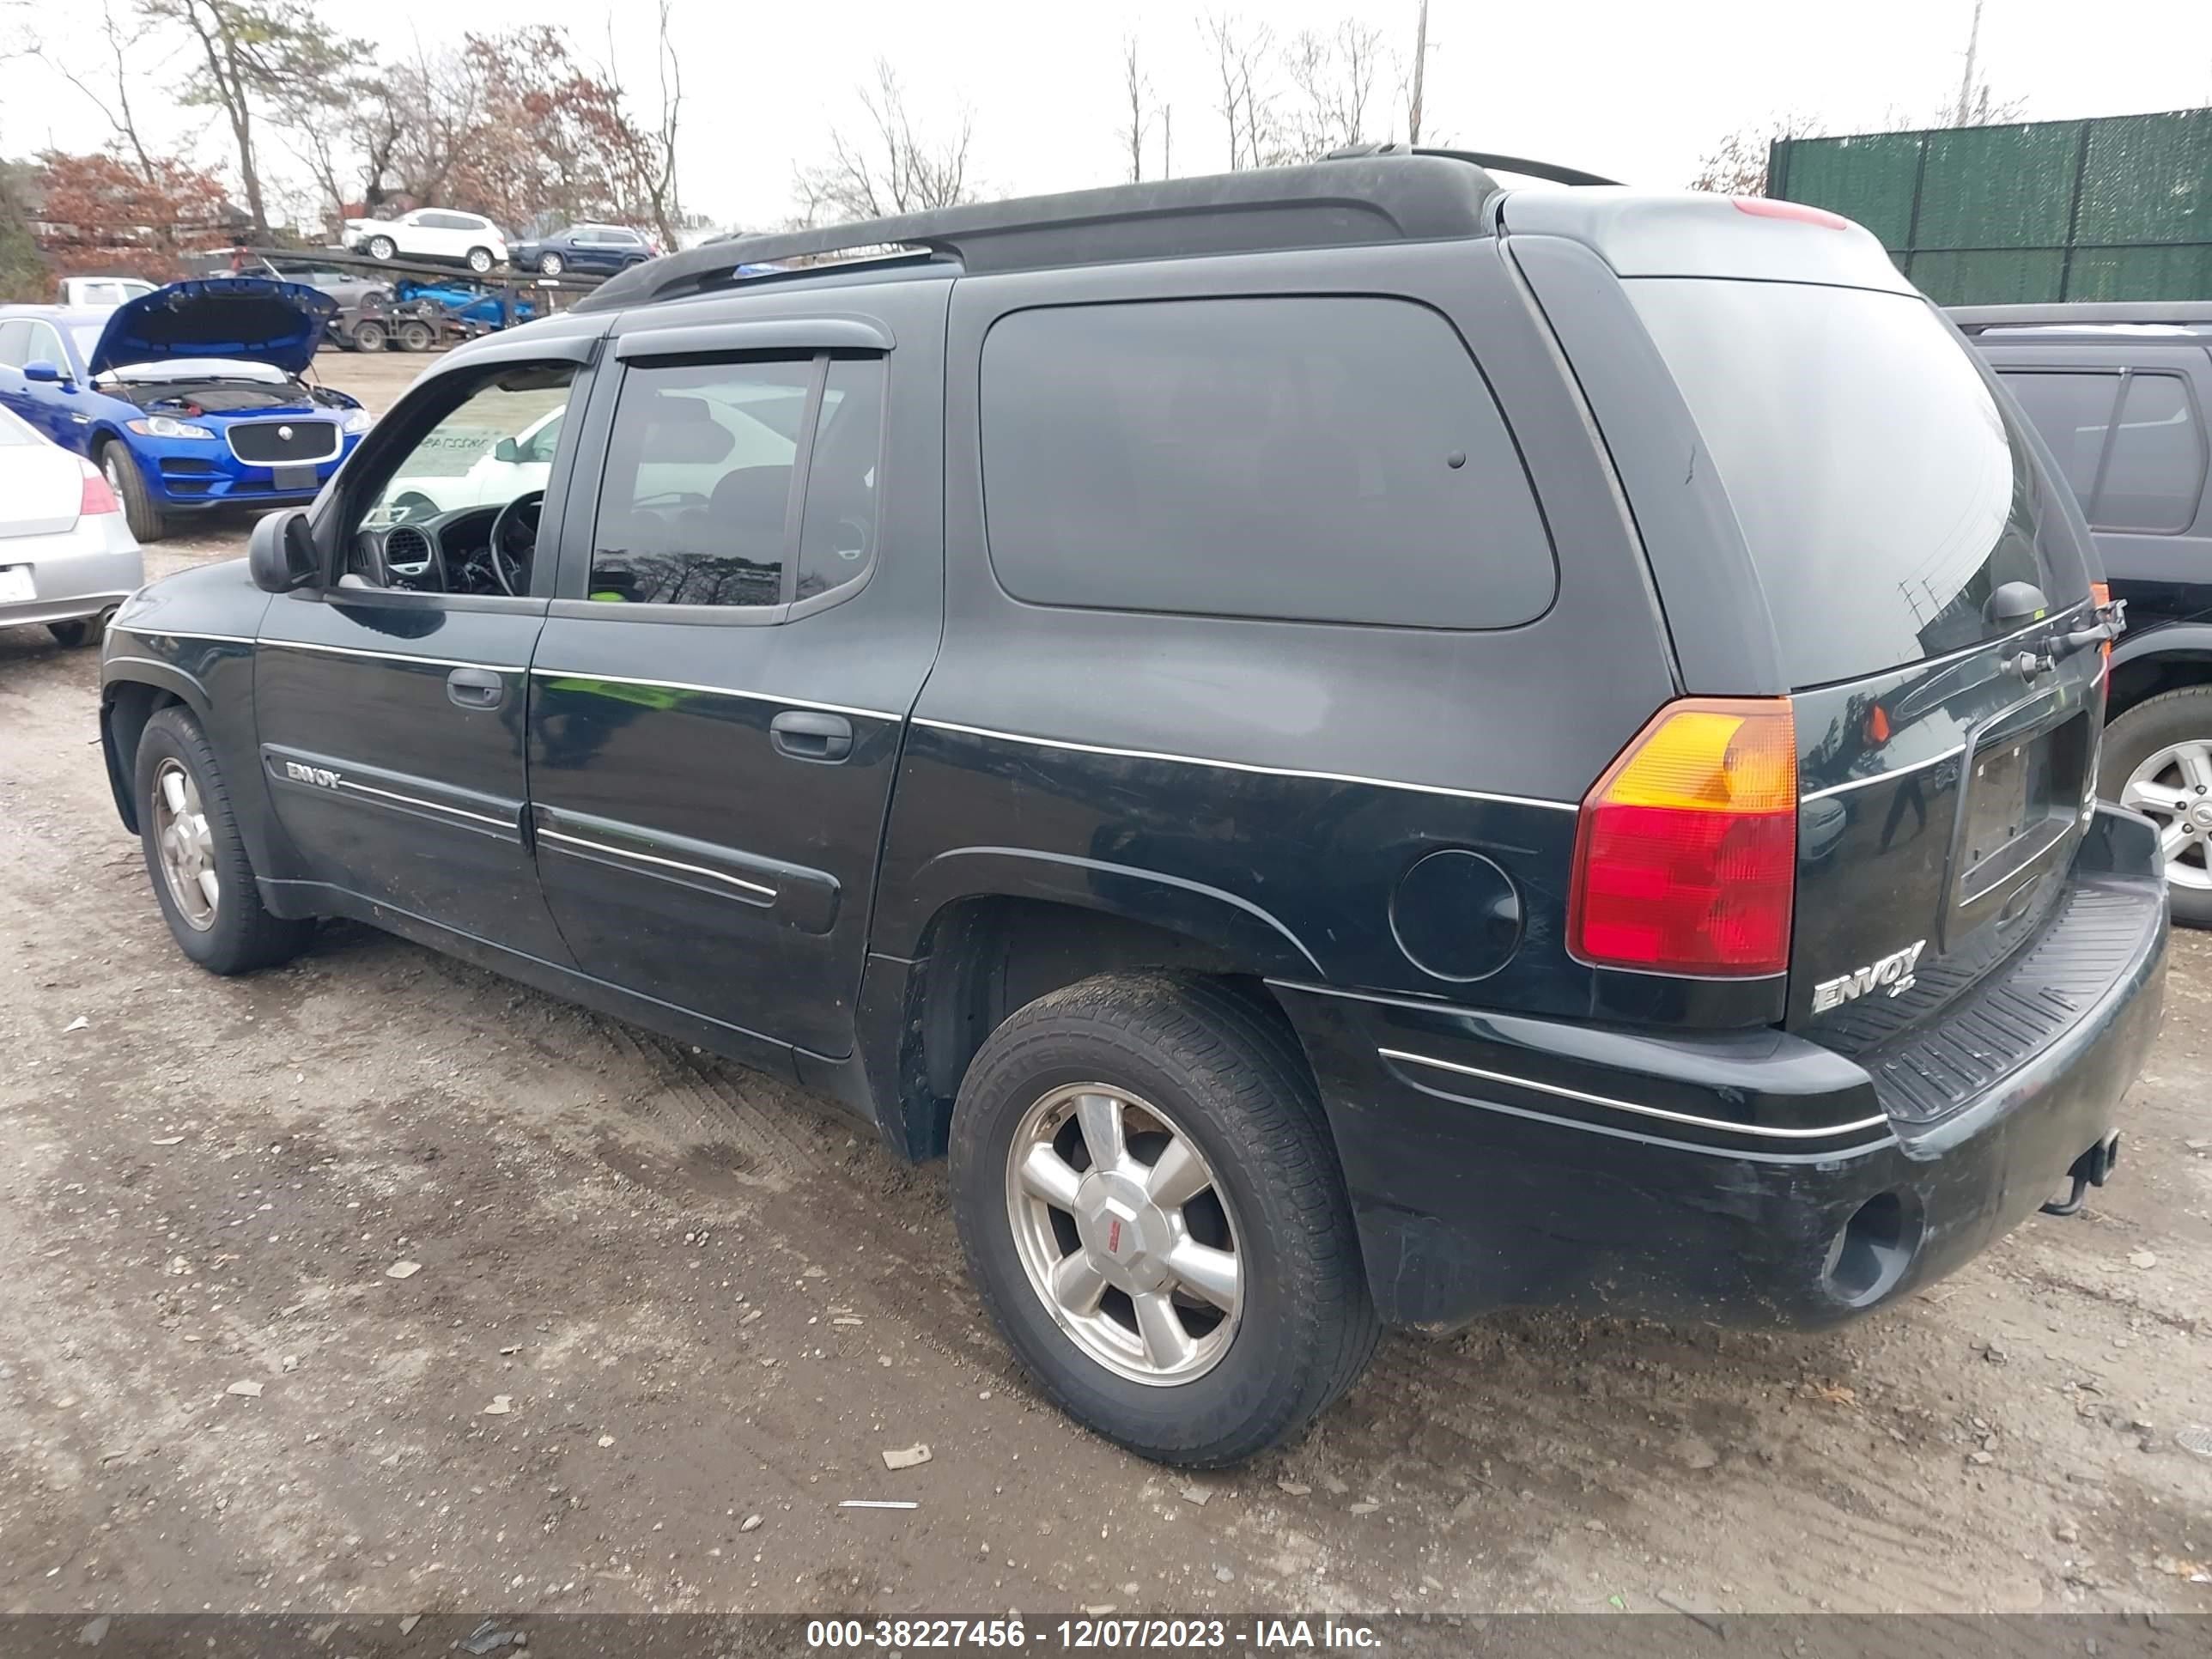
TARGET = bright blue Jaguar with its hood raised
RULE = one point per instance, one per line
(189, 397)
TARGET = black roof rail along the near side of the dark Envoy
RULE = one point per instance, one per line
(1319, 205)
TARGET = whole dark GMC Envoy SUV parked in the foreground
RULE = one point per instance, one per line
(1357, 747)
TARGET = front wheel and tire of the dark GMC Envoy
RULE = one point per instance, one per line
(196, 857)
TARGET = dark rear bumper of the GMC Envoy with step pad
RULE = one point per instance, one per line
(1744, 1178)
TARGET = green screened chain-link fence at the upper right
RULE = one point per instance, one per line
(2043, 211)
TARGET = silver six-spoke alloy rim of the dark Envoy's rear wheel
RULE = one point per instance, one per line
(1125, 1235)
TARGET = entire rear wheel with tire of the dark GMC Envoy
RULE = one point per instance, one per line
(1154, 1211)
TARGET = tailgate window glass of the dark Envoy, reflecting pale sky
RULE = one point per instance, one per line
(1881, 490)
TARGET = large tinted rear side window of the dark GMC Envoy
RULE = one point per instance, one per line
(1331, 459)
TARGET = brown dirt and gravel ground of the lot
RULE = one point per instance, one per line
(667, 1315)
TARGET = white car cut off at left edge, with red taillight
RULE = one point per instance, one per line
(67, 556)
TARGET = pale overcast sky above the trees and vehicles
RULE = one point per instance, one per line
(1638, 92)
